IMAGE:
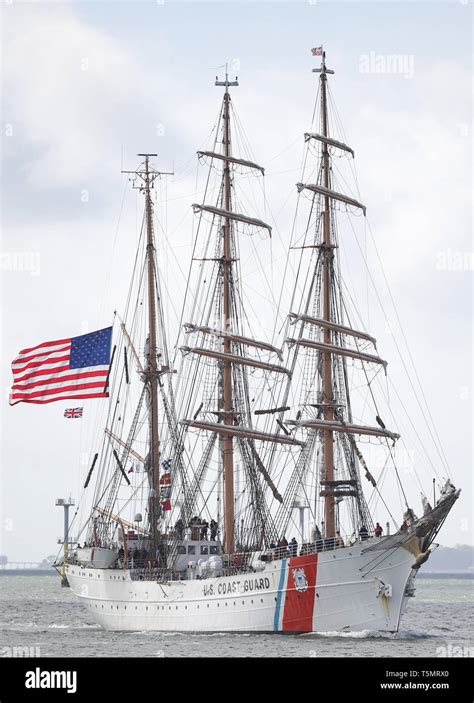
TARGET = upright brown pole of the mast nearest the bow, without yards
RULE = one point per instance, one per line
(327, 372)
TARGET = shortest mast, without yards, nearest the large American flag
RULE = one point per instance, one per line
(147, 177)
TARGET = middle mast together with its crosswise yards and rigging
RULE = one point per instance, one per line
(234, 425)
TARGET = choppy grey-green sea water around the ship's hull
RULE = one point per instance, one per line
(35, 612)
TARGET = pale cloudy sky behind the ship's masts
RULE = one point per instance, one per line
(86, 86)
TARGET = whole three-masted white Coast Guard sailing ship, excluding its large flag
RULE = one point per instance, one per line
(230, 488)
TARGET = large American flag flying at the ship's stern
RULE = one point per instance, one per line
(66, 368)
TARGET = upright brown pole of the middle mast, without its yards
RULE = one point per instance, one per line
(227, 439)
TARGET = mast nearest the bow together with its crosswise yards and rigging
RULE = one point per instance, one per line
(328, 336)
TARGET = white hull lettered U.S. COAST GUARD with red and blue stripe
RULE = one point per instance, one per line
(341, 590)
